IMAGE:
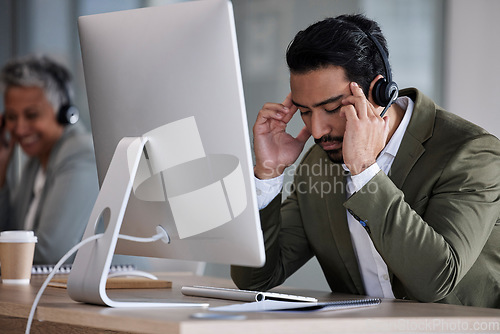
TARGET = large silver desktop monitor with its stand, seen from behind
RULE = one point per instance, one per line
(171, 140)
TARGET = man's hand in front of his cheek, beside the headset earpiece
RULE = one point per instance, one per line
(366, 132)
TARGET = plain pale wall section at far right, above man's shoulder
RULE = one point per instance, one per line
(472, 66)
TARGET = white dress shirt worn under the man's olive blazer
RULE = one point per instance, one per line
(372, 267)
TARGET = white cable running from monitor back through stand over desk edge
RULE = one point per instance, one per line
(66, 256)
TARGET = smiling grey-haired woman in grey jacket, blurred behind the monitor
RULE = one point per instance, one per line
(58, 186)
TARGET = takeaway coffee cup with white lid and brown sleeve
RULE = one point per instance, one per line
(16, 256)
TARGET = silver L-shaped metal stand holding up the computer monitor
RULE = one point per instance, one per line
(87, 279)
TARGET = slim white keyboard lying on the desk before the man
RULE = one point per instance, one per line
(241, 295)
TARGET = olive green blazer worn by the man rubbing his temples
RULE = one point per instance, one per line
(434, 219)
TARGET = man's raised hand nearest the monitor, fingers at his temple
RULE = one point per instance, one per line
(275, 149)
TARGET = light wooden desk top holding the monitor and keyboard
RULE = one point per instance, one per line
(57, 313)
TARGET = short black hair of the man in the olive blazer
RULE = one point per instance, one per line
(340, 41)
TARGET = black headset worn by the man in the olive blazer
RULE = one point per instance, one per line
(385, 91)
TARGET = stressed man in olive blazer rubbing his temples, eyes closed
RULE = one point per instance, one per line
(401, 206)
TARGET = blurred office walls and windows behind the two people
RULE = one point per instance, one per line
(449, 49)
